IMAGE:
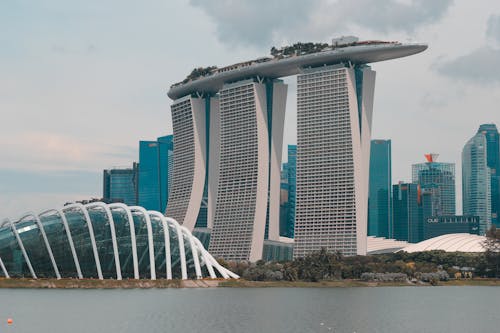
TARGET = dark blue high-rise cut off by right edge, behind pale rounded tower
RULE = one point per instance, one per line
(493, 161)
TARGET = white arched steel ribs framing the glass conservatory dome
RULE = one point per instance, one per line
(200, 255)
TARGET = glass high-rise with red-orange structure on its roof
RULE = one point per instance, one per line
(437, 179)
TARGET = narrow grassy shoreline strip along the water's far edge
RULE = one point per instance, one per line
(20, 283)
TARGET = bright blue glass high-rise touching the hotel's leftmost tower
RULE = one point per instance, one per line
(155, 160)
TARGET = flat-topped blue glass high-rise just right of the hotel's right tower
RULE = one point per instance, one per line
(380, 190)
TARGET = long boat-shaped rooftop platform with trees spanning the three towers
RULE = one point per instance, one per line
(291, 60)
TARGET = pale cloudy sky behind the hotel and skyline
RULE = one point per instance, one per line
(81, 82)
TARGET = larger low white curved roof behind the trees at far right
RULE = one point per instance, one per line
(449, 243)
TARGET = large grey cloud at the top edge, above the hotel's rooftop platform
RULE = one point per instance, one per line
(260, 22)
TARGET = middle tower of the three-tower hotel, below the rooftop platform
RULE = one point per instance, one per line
(248, 181)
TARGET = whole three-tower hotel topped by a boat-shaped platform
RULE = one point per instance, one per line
(228, 128)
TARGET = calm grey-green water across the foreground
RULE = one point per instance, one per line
(391, 309)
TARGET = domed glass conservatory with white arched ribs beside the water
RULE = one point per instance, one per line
(99, 240)
